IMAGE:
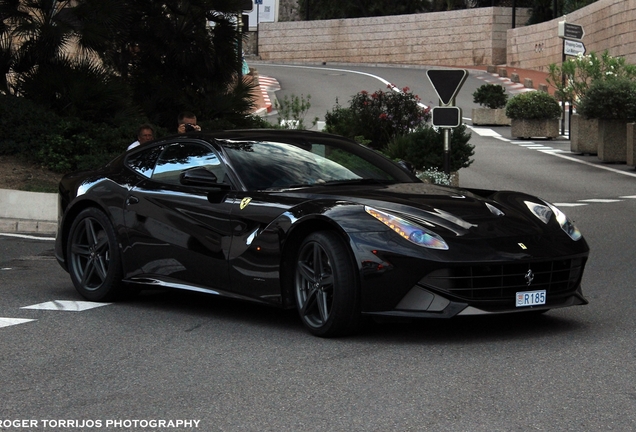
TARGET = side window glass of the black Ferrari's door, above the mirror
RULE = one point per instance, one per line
(182, 156)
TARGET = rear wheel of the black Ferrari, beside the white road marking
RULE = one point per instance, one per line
(94, 261)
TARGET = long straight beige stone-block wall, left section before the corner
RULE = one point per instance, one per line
(456, 38)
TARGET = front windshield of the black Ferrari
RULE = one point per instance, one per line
(274, 165)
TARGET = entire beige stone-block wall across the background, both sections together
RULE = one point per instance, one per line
(464, 38)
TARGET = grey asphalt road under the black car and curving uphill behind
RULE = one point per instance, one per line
(171, 356)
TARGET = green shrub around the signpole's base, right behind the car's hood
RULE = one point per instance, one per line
(424, 148)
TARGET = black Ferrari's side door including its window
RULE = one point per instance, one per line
(179, 234)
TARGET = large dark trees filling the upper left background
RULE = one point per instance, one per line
(164, 56)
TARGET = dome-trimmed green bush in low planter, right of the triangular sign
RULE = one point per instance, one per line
(534, 114)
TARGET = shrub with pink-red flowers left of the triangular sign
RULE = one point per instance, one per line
(378, 117)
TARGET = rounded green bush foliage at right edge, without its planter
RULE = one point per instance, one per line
(613, 99)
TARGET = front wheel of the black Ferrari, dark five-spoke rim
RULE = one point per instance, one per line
(326, 287)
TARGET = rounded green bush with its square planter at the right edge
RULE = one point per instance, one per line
(613, 103)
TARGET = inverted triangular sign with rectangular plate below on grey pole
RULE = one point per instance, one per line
(447, 83)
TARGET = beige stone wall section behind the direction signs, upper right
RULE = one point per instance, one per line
(608, 25)
